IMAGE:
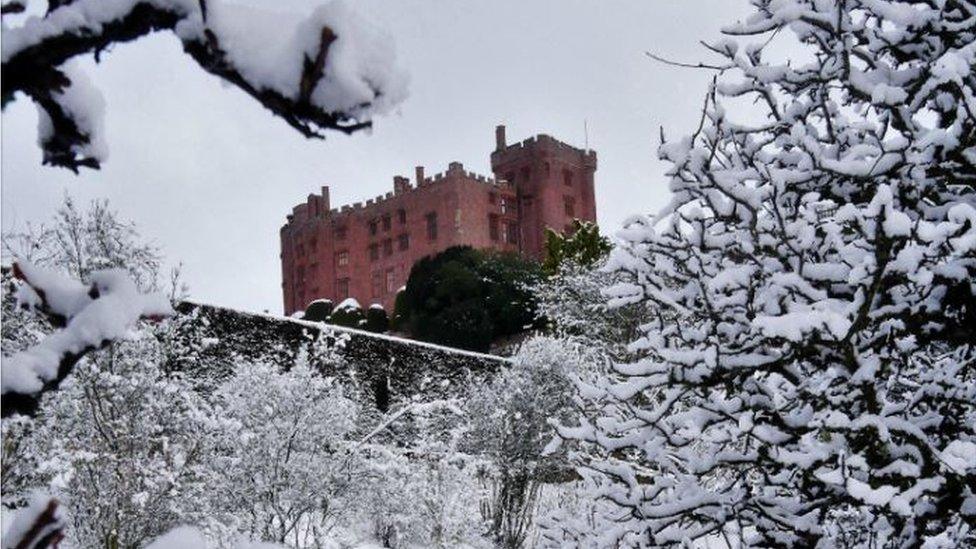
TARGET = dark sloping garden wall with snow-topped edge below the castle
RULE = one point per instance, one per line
(390, 369)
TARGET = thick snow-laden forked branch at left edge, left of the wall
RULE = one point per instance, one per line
(88, 317)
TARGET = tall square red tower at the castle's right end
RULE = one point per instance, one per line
(554, 185)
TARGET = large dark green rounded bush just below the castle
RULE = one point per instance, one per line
(467, 298)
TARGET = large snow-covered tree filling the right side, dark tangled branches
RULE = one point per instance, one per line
(813, 381)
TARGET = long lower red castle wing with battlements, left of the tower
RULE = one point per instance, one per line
(339, 253)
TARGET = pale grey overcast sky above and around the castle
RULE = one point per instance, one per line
(209, 175)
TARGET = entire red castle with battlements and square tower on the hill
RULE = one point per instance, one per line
(365, 251)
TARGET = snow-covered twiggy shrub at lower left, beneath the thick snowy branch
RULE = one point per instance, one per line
(122, 446)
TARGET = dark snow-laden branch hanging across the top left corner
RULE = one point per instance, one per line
(329, 70)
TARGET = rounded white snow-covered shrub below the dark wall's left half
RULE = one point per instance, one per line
(286, 468)
